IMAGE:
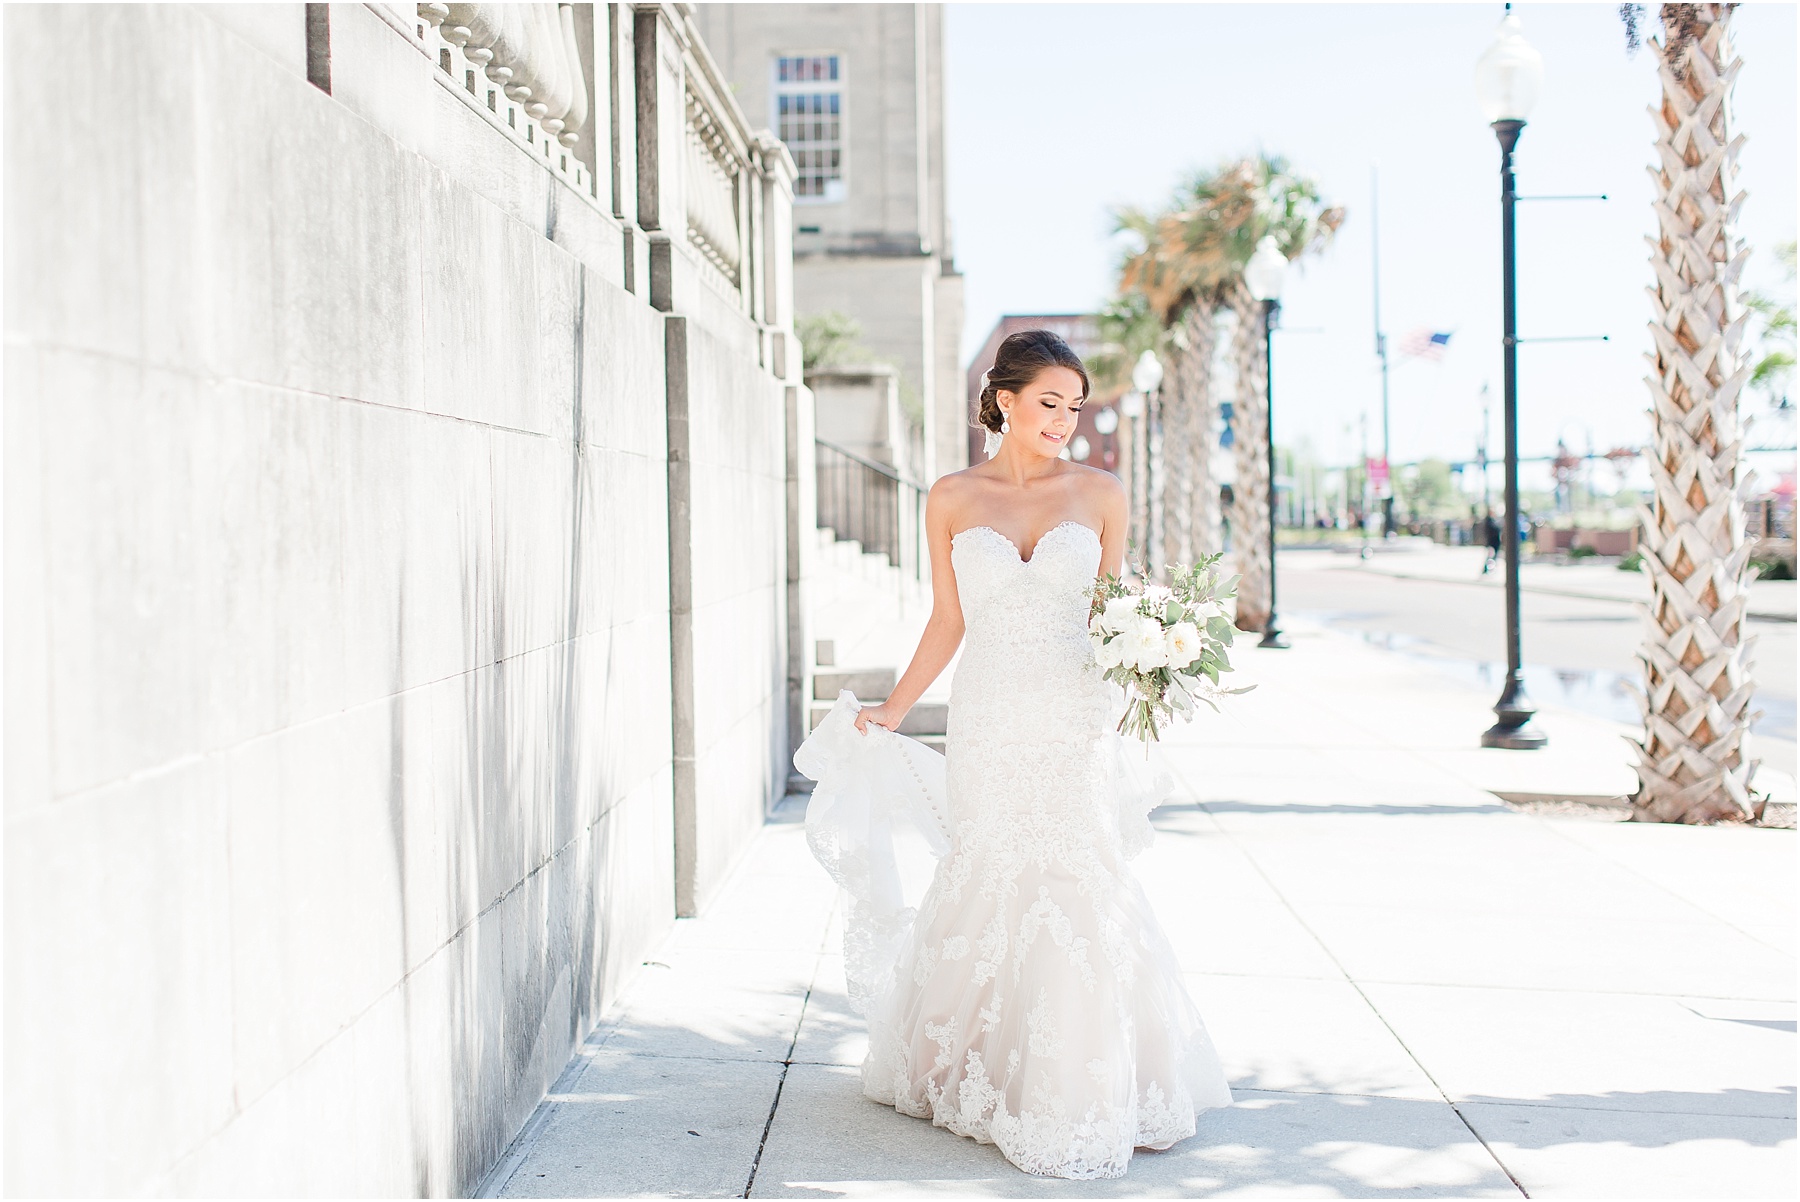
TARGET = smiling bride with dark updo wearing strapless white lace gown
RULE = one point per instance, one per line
(1034, 1001)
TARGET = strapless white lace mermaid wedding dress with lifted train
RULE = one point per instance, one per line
(1032, 1000)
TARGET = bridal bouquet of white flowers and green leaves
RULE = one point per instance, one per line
(1164, 645)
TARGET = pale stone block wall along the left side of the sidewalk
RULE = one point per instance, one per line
(339, 699)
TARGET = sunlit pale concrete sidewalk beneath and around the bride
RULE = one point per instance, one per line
(1417, 991)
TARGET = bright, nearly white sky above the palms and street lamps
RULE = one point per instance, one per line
(1061, 112)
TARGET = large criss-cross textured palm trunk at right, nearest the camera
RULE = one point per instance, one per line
(1693, 762)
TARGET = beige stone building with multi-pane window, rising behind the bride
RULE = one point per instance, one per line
(858, 94)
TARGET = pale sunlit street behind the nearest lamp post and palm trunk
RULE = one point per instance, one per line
(1579, 652)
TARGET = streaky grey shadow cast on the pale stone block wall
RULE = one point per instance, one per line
(517, 832)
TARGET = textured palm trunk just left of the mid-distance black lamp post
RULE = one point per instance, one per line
(1250, 494)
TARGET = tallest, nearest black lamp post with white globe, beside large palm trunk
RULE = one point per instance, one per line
(1506, 82)
